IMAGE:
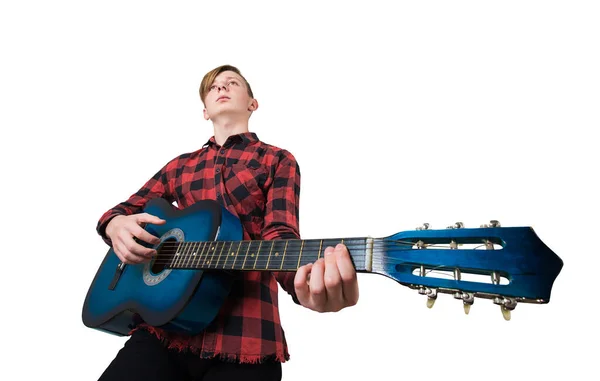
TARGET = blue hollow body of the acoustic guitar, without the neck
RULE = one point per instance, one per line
(181, 301)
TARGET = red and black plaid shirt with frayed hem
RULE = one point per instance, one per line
(260, 184)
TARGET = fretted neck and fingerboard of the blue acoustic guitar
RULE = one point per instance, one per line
(258, 255)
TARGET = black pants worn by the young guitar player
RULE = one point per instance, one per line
(144, 357)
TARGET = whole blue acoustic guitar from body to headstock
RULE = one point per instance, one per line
(185, 284)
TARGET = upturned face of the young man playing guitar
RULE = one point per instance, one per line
(228, 94)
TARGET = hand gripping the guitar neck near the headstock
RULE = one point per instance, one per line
(330, 284)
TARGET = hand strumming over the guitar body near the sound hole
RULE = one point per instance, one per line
(121, 230)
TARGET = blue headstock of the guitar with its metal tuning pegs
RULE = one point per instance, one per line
(505, 264)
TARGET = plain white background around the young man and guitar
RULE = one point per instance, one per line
(426, 111)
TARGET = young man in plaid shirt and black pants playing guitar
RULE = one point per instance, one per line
(260, 184)
